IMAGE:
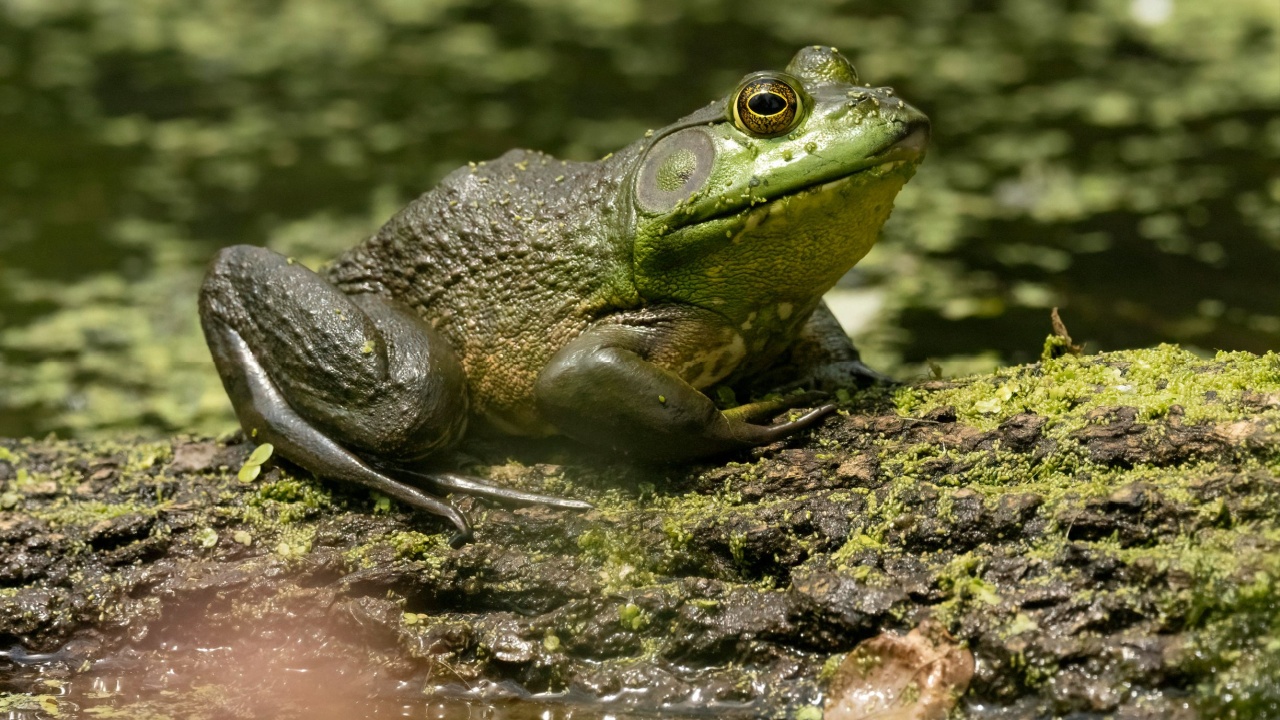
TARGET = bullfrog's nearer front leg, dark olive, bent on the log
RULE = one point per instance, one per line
(612, 388)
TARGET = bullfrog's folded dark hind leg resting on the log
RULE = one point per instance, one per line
(337, 384)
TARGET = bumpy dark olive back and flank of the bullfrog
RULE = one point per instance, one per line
(510, 261)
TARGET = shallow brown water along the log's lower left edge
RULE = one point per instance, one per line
(232, 681)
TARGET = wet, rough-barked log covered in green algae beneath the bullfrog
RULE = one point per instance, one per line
(1104, 532)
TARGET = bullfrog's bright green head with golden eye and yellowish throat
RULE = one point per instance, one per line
(765, 199)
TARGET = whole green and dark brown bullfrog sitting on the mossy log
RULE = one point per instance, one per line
(600, 300)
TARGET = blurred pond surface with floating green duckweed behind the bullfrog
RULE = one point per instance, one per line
(1118, 158)
